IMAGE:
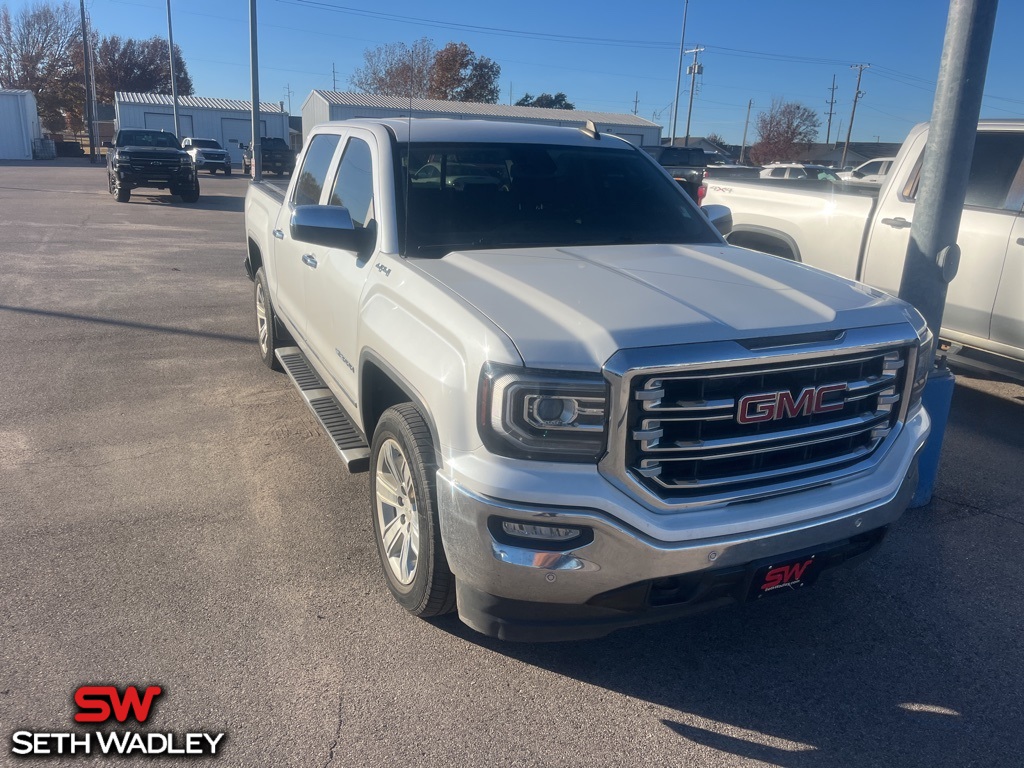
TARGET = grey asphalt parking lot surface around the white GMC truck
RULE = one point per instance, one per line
(170, 515)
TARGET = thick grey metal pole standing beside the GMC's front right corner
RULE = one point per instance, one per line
(932, 255)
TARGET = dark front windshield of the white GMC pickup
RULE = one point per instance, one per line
(470, 197)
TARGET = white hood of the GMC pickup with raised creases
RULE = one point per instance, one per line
(574, 308)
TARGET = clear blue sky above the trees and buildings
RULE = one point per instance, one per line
(604, 56)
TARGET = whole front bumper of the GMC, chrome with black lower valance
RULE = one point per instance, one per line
(620, 577)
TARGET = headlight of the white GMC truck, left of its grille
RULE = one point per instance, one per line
(549, 415)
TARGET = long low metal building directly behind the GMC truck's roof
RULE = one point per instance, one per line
(321, 107)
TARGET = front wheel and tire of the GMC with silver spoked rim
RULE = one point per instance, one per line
(404, 498)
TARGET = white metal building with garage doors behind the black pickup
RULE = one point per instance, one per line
(226, 120)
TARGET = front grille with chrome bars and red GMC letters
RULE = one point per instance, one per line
(698, 432)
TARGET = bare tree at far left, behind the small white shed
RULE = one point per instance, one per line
(37, 53)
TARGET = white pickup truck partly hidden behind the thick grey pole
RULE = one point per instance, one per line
(862, 232)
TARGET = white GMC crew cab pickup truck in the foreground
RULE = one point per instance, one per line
(581, 410)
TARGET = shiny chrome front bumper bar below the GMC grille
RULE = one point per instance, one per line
(492, 575)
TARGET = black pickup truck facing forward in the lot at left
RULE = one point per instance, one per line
(146, 158)
